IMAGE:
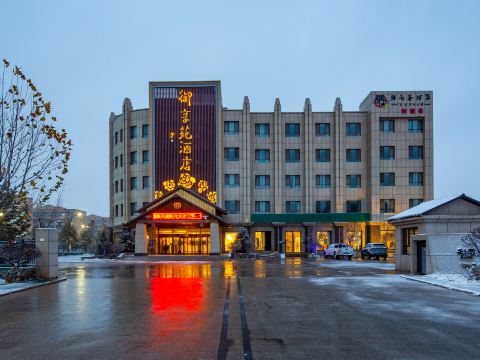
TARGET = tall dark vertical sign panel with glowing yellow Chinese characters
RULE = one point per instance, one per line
(185, 139)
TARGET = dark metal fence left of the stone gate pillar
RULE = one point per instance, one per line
(20, 253)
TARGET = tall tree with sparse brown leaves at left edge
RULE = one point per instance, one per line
(34, 155)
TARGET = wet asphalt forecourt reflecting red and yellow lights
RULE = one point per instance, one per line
(248, 309)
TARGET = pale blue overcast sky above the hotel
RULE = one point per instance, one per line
(87, 56)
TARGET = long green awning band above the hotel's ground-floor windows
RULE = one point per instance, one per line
(301, 218)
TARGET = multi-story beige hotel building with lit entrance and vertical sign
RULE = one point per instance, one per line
(288, 177)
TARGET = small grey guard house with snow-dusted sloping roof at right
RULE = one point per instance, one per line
(428, 234)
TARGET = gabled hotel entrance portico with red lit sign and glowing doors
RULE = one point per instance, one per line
(178, 223)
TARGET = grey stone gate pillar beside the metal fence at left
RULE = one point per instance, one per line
(46, 241)
